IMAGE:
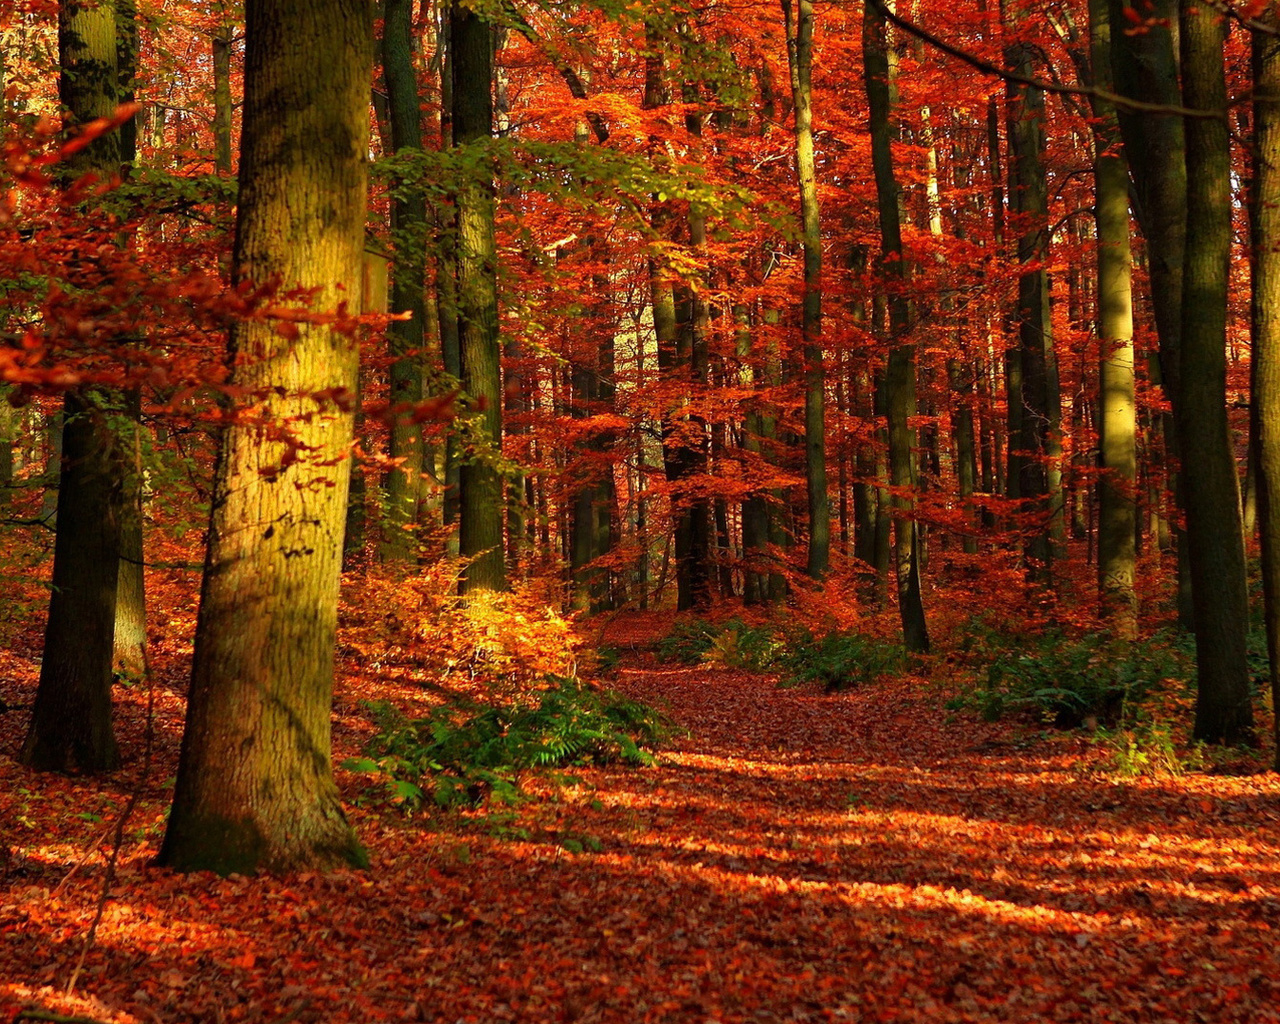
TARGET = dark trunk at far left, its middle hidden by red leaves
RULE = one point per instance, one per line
(71, 724)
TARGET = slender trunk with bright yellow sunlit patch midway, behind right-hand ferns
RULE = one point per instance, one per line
(1118, 424)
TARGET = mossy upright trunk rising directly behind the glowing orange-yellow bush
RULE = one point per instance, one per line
(481, 482)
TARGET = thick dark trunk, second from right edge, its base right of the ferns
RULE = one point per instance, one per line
(1215, 542)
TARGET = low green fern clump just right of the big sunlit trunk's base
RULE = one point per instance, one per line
(463, 755)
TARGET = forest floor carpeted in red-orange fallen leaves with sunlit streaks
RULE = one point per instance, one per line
(860, 857)
